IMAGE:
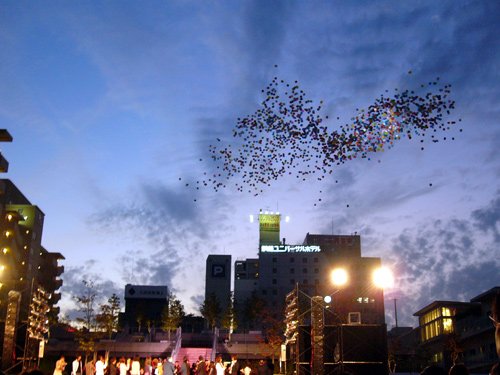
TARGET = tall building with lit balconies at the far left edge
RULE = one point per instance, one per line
(28, 276)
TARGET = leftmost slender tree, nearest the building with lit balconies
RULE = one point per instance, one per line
(87, 334)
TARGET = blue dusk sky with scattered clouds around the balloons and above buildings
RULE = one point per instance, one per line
(114, 107)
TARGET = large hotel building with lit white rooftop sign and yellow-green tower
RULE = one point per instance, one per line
(280, 267)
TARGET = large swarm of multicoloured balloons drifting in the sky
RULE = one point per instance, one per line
(287, 136)
